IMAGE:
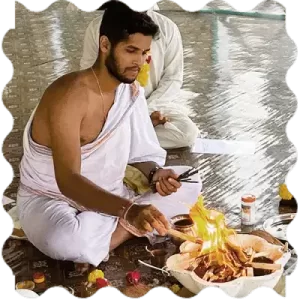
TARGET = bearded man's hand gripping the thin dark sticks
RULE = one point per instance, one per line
(166, 183)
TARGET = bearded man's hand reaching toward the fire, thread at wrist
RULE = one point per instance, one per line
(146, 218)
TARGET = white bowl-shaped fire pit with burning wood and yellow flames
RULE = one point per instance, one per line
(237, 264)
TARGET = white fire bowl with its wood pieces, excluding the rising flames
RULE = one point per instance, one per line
(250, 263)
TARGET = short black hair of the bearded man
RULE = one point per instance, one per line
(120, 20)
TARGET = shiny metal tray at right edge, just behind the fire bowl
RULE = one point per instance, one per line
(278, 226)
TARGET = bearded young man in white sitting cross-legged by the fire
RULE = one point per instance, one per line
(88, 126)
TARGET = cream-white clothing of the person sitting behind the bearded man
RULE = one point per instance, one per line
(163, 91)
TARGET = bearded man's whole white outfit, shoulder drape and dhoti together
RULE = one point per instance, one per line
(62, 229)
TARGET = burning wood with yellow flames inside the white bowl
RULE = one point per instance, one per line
(224, 255)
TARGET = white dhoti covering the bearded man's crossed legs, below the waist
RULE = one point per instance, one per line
(62, 232)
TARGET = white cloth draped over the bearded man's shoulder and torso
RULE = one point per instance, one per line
(121, 134)
